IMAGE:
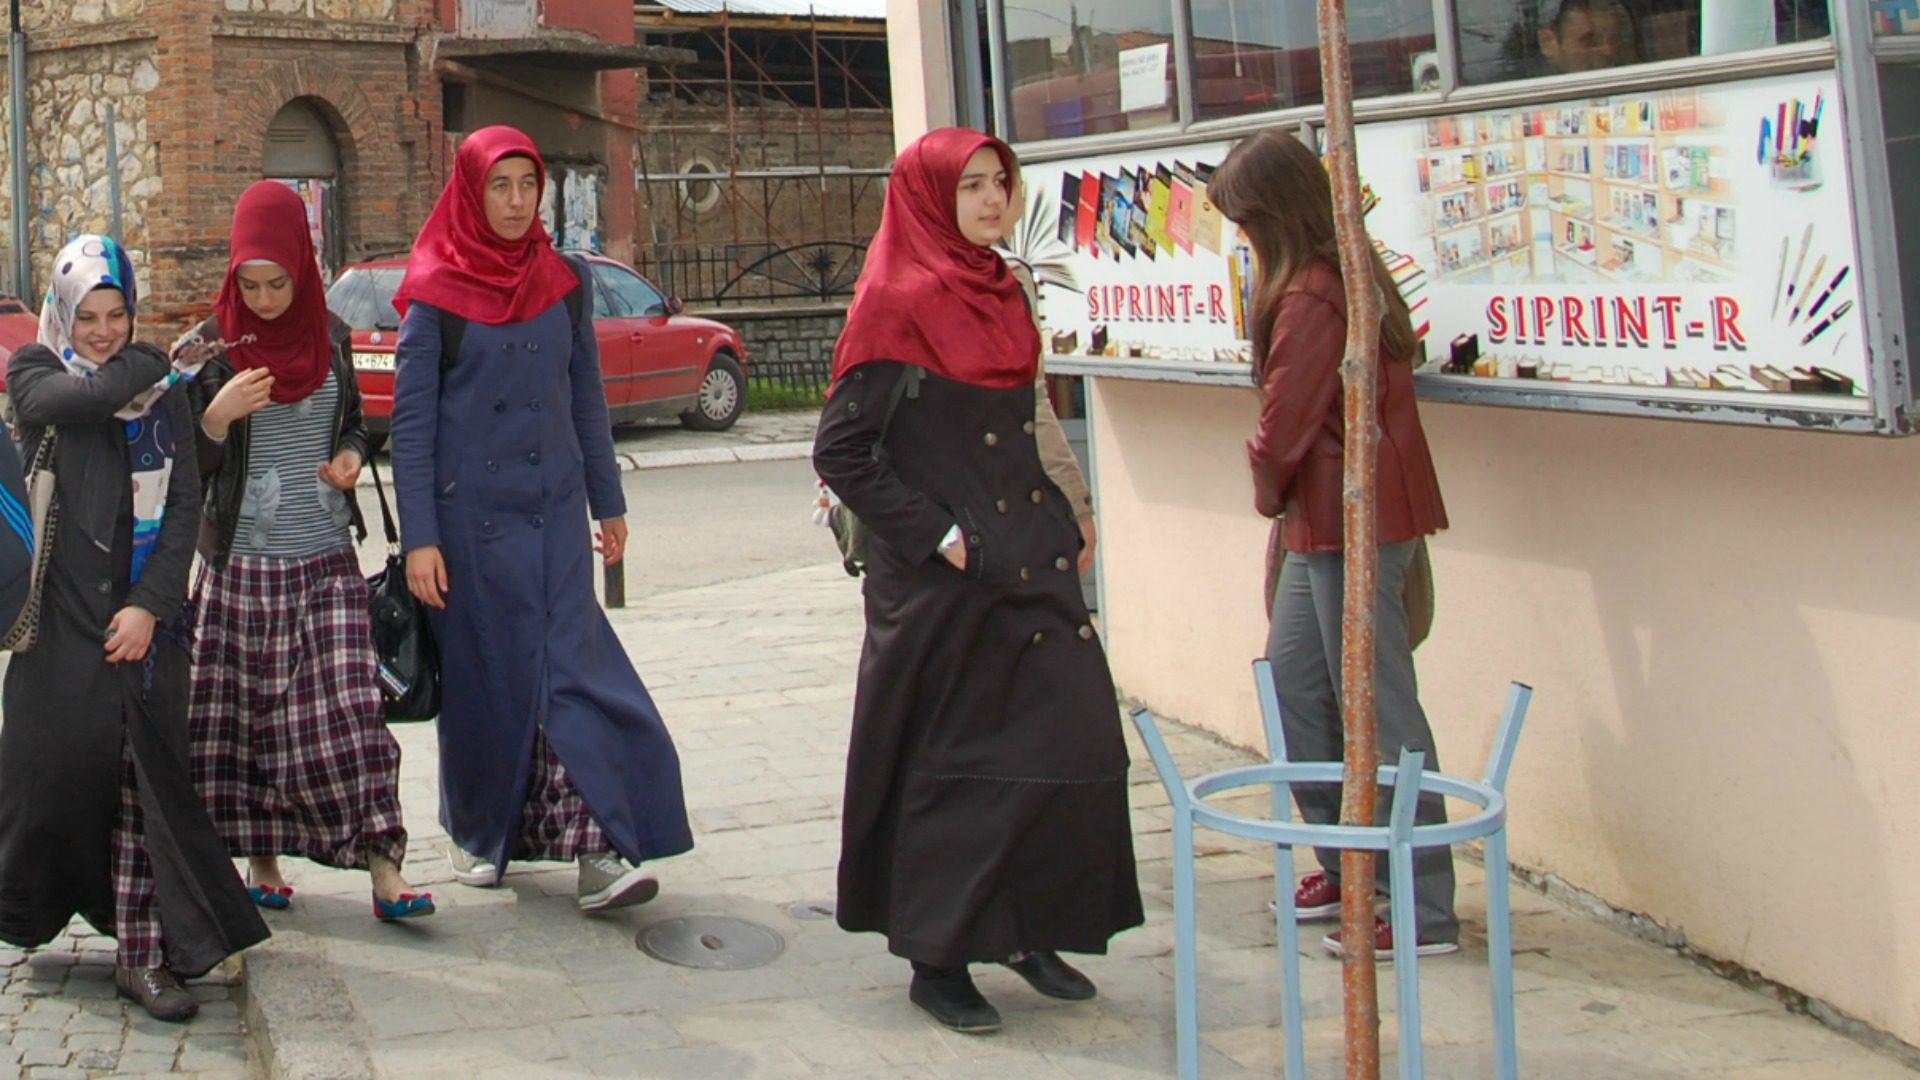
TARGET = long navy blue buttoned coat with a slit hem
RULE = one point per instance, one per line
(500, 460)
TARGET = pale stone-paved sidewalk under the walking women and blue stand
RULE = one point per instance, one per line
(756, 677)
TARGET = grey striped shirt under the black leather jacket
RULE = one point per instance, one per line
(289, 512)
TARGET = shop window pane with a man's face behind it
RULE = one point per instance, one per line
(1527, 39)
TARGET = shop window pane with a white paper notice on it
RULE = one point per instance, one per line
(1090, 68)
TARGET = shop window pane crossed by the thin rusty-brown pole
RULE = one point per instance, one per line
(1257, 57)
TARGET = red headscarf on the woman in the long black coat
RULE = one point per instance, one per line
(928, 295)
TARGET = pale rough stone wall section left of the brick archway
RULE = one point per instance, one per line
(68, 97)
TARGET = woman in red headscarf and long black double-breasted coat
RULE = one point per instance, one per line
(986, 814)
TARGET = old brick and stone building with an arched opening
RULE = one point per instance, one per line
(343, 99)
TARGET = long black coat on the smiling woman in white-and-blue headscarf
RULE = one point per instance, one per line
(66, 712)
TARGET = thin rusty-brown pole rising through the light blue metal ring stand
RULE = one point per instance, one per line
(1358, 374)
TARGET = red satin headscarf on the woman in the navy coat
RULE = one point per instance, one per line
(462, 266)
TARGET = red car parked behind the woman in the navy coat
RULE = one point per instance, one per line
(656, 362)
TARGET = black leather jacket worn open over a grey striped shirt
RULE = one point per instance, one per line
(224, 464)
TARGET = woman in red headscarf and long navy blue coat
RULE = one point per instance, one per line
(550, 745)
